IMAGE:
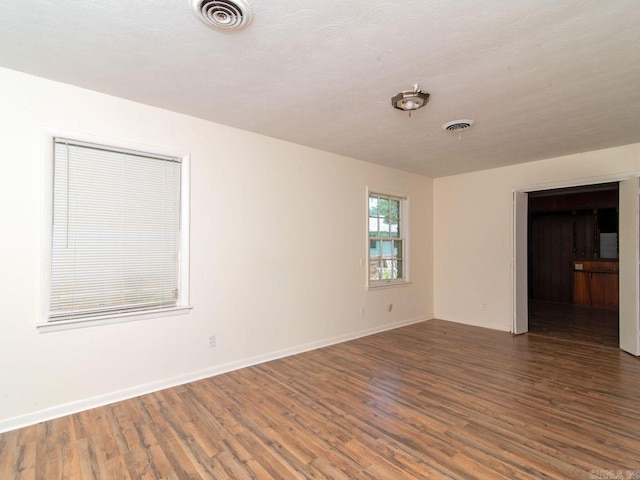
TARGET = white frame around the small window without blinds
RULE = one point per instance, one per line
(403, 235)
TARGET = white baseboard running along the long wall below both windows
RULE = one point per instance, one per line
(119, 395)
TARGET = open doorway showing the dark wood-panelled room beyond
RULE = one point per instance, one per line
(572, 258)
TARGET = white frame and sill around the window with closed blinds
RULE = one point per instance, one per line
(182, 306)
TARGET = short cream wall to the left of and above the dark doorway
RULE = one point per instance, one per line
(473, 229)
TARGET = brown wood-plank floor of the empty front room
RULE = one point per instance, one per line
(431, 400)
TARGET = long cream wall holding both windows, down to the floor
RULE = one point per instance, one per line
(267, 276)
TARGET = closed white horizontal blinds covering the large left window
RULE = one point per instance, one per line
(116, 231)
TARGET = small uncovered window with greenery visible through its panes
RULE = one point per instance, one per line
(388, 252)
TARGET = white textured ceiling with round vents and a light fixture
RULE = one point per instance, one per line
(541, 78)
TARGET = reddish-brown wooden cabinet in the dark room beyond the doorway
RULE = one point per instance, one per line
(595, 283)
